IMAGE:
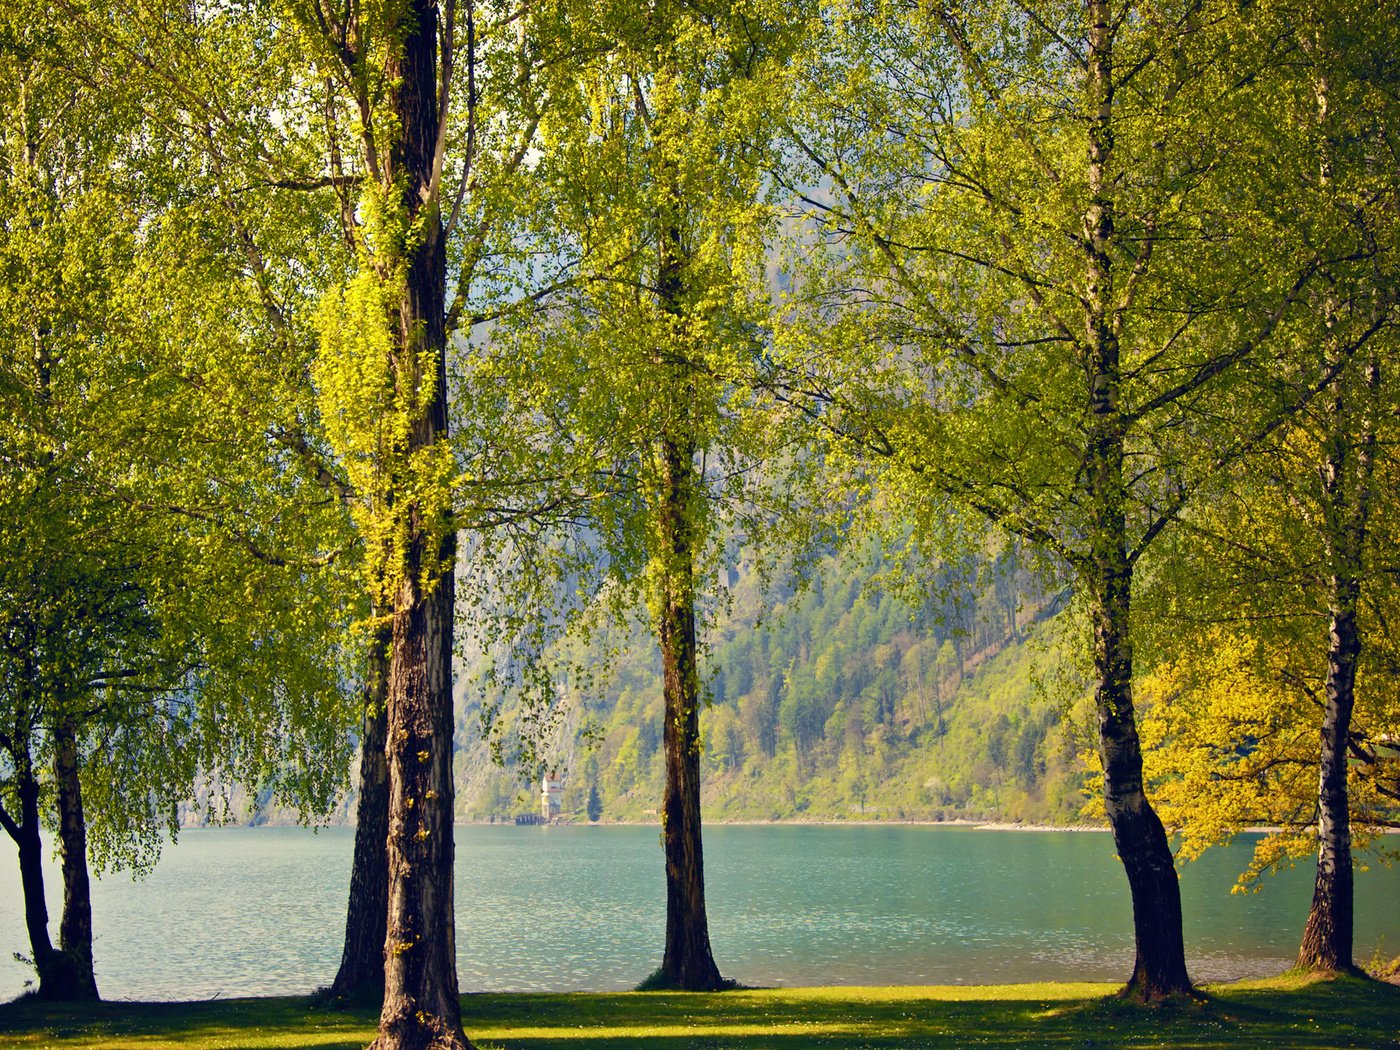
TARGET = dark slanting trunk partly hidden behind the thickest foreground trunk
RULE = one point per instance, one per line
(360, 978)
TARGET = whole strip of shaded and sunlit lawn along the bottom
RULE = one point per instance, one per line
(1290, 1011)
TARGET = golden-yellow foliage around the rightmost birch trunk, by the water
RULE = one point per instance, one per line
(1238, 695)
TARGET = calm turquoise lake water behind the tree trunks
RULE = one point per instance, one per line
(254, 912)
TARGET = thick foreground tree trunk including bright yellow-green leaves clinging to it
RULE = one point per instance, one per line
(386, 334)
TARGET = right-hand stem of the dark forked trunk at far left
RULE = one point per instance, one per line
(75, 978)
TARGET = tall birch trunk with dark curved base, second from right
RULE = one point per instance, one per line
(1160, 967)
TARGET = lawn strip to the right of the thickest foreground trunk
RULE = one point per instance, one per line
(1326, 1016)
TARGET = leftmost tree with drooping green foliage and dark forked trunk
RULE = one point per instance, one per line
(121, 666)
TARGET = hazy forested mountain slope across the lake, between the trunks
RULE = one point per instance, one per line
(834, 702)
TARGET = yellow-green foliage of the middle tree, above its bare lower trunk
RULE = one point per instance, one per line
(635, 376)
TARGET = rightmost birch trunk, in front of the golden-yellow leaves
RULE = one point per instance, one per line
(1328, 937)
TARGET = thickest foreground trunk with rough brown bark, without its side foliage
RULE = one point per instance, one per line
(422, 1006)
